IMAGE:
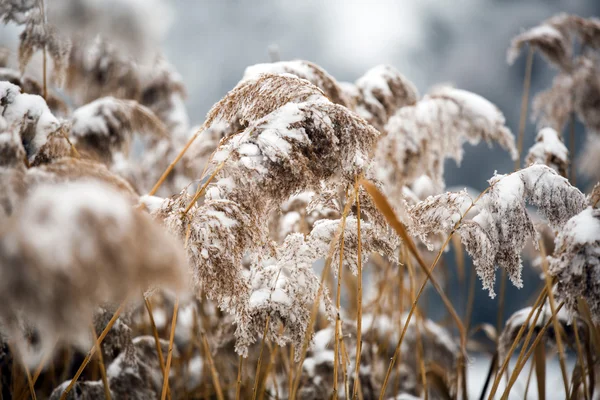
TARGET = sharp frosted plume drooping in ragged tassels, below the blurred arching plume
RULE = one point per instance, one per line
(499, 232)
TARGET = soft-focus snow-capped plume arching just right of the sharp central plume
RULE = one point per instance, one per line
(419, 137)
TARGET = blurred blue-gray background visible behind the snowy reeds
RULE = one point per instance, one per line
(462, 42)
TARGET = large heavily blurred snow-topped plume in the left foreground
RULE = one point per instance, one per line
(85, 242)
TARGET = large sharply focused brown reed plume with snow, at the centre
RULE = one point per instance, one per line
(297, 147)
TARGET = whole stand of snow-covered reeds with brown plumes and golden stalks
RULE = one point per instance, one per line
(280, 249)
